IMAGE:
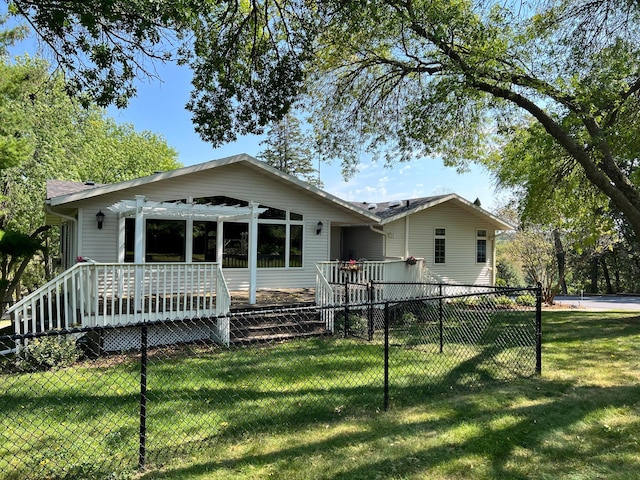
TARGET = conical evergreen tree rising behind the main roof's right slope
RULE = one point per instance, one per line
(288, 150)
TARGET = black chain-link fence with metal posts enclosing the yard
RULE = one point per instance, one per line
(110, 401)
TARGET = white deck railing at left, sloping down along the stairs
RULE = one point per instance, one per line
(99, 294)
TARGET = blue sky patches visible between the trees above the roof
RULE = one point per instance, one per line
(159, 108)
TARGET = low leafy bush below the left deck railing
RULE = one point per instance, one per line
(48, 353)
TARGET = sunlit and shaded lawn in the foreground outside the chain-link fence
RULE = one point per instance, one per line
(579, 420)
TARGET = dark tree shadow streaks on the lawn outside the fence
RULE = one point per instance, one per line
(552, 407)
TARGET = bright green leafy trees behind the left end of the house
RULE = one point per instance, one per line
(61, 140)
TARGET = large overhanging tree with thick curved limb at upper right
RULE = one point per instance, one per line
(403, 78)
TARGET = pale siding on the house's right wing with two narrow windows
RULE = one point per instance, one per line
(460, 259)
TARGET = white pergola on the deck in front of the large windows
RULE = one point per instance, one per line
(141, 208)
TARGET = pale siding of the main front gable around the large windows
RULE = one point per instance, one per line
(235, 180)
